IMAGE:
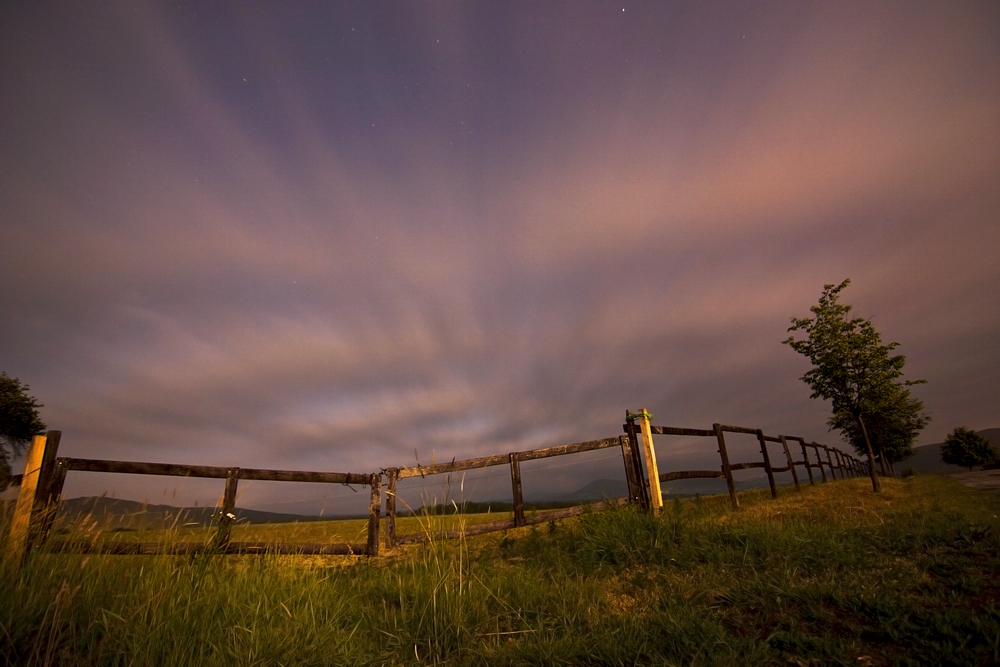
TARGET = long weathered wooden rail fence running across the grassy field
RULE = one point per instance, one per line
(42, 483)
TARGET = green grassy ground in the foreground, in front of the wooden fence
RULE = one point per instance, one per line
(832, 575)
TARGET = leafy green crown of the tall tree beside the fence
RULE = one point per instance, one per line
(860, 375)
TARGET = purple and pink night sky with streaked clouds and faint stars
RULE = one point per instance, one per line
(341, 236)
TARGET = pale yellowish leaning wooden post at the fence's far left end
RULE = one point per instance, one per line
(33, 495)
